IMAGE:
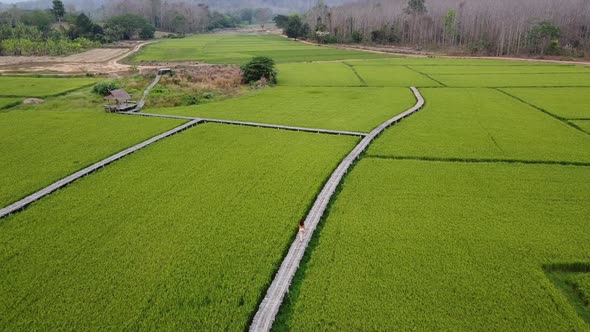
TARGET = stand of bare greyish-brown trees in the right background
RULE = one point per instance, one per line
(497, 27)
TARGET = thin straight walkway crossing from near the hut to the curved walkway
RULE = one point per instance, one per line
(252, 124)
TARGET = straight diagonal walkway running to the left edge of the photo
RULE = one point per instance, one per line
(23, 203)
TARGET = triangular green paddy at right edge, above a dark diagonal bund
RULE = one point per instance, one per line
(568, 103)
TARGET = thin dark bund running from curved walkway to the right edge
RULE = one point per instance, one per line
(483, 160)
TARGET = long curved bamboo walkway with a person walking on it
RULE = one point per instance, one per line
(275, 294)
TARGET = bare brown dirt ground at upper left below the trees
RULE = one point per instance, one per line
(96, 61)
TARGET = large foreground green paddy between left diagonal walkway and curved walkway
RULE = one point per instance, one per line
(183, 235)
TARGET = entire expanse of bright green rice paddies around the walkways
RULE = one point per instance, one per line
(472, 214)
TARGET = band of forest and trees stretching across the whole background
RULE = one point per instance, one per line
(478, 27)
